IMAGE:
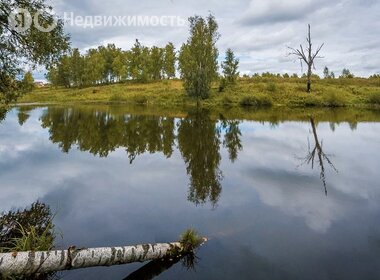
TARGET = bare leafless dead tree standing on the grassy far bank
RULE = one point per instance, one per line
(308, 57)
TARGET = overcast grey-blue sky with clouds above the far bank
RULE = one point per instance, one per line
(258, 31)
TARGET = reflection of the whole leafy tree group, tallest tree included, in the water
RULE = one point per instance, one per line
(198, 137)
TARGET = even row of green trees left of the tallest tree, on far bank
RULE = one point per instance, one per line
(109, 64)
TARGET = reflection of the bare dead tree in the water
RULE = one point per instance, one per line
(321, 156)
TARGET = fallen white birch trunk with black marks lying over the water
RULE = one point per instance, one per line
(27, 263)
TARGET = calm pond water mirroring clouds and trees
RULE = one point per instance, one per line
(122, 176)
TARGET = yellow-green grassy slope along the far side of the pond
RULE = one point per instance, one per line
(249, 92)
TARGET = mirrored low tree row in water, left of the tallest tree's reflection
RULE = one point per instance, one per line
(100, 132)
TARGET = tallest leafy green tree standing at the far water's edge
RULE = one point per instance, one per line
(198, 57)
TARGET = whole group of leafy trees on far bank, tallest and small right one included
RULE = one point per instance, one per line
(197, 63)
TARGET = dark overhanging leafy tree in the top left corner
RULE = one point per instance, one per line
(32, 45)
